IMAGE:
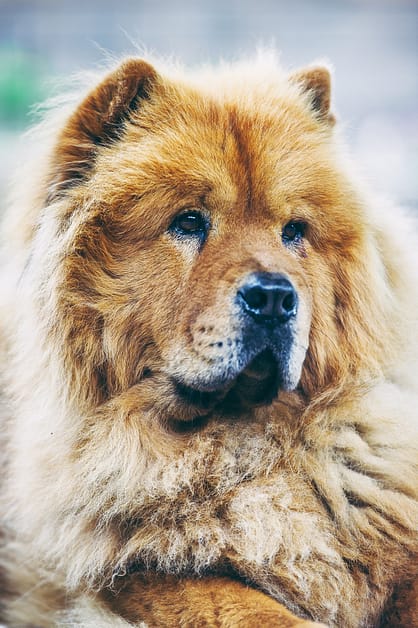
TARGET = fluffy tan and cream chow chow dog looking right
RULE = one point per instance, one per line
(209, 343)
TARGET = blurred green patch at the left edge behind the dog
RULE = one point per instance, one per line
(22, 84)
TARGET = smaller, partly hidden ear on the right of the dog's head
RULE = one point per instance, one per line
(317, 82)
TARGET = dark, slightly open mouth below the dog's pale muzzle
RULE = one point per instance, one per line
(257, 384)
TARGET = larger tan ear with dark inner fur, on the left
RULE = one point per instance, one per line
(98, 121)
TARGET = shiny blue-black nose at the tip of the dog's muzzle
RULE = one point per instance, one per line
(269, 297)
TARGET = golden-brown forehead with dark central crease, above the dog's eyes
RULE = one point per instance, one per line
(228, 153)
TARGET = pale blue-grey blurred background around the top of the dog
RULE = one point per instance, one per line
(372, 45)
